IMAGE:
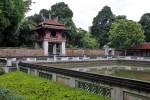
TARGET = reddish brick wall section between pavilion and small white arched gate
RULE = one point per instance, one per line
(81, 52)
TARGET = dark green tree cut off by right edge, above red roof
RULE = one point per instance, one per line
(145, 22)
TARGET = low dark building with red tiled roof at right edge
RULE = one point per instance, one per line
(139, 50)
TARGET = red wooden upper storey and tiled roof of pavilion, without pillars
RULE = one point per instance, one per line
(51, 30)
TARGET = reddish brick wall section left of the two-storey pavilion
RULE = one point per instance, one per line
(8, 52)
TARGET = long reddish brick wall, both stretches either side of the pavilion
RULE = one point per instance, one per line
(12, 52)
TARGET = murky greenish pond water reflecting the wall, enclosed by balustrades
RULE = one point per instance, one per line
(133, 72)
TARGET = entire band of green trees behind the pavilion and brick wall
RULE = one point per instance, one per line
(15, 30)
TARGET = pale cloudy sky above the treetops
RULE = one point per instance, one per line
(85, 10)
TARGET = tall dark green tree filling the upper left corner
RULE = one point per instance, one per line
(11, 15)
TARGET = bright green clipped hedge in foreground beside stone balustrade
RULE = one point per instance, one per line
(36, 88)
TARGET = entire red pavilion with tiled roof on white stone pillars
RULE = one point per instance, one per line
(51, 31)
